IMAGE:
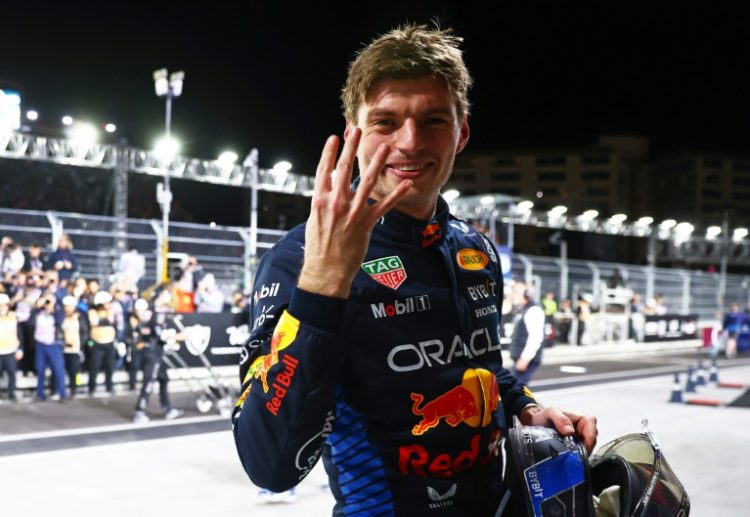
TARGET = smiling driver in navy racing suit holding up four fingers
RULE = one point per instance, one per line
(375, 331)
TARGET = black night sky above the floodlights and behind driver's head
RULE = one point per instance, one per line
(268, 74)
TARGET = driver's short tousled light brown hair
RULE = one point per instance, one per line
(408, 52)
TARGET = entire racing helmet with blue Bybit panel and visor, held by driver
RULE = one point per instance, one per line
(547, 474)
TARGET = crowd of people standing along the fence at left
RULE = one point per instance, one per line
(56, 324)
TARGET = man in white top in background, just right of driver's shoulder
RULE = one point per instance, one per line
(528, 333)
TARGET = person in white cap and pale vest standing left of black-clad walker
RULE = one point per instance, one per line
(102, 332)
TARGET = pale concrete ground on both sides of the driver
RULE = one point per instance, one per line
(188, 467)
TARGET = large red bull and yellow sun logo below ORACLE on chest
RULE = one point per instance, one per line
(472, 402)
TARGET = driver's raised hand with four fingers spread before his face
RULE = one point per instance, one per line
(341, 221)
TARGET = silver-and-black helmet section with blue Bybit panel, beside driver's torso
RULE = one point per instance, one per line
(547, 474)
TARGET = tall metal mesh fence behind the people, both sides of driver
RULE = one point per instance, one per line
(225, 252)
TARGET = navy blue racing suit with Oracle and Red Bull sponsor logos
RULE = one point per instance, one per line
(400, 387)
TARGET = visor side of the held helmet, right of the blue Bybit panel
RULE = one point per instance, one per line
(631, 477)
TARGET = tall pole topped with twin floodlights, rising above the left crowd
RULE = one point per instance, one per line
(168, 86)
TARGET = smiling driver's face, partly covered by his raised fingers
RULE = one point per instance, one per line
(418, 121)
